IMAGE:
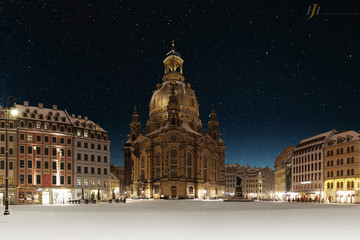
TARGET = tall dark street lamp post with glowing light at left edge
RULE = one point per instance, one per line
(14, 112)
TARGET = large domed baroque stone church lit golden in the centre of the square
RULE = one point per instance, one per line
(174, 158)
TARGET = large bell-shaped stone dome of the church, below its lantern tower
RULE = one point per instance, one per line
(189, 107)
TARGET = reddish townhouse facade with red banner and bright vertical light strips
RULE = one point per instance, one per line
(45, 155)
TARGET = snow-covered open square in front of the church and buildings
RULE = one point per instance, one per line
(183, 219)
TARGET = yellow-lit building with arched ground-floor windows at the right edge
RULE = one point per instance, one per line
(342, 168)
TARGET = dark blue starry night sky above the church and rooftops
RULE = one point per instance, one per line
(273, 76)
